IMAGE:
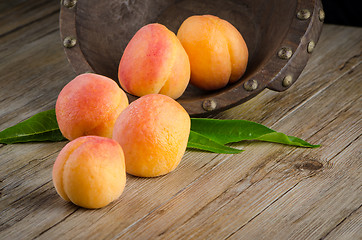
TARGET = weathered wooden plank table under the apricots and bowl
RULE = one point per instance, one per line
(270, 191)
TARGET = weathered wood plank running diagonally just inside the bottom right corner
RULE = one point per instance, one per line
(315, 205)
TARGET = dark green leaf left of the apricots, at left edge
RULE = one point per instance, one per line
(40, 127)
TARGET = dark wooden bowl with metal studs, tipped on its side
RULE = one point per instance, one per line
(280, 35)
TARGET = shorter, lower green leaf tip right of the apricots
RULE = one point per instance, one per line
(198, 141)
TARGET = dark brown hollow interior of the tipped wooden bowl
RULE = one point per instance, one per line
(105, 27)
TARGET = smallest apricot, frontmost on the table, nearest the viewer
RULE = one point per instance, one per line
(90, 171)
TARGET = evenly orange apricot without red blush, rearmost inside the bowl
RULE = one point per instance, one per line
(217, 52)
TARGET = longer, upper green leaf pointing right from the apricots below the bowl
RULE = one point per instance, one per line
(227, 131)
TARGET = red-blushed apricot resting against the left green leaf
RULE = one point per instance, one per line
(89, 105)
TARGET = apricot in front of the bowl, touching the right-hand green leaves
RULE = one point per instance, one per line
(153, 132)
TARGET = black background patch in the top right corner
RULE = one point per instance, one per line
(343, 12)
